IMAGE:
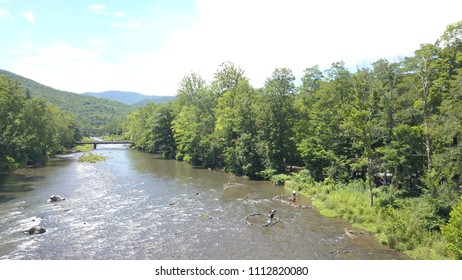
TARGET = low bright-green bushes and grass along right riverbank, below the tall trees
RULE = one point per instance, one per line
(412, 225)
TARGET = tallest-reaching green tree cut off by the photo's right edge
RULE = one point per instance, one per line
(447, 124)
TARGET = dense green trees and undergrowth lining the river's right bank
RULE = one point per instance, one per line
(389, 132)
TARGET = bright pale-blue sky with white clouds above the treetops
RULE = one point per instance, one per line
(149, 46)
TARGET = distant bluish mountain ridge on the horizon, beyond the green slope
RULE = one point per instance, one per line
(131, 98)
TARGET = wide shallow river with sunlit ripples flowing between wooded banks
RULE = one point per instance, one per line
(137, 206)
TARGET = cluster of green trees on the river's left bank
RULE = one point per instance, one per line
(30, 129)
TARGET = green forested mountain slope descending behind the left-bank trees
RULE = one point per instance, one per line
(90, 112)
